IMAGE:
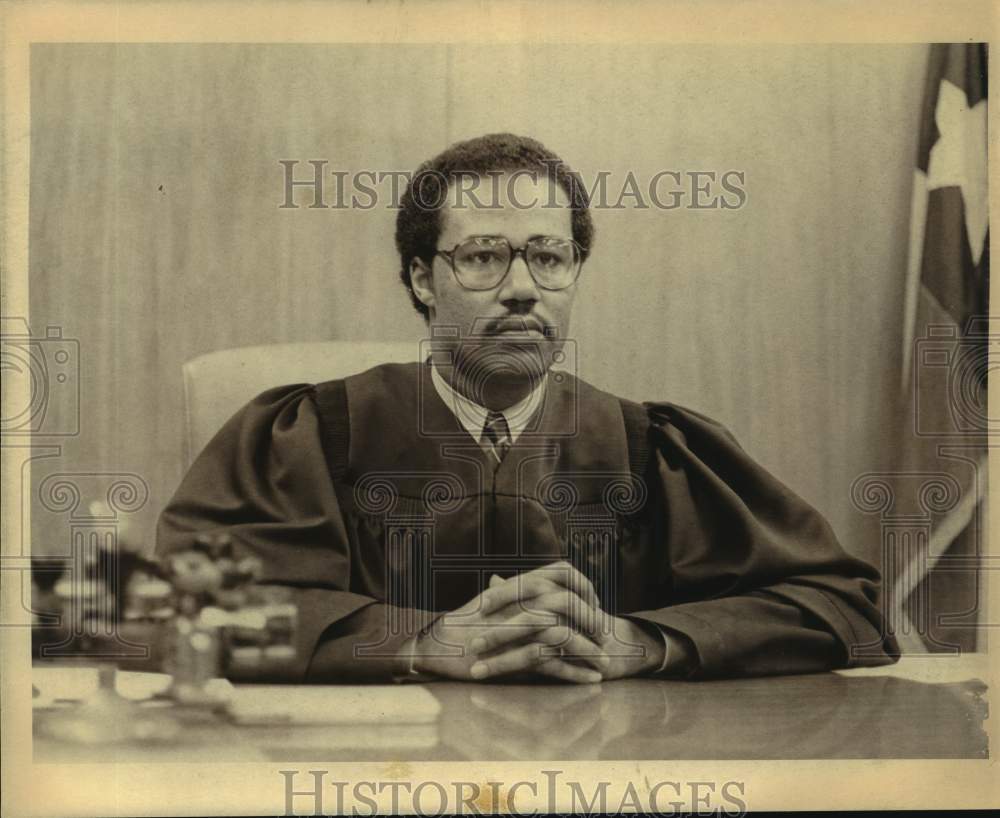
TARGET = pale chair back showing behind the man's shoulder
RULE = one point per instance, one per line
(219, 383)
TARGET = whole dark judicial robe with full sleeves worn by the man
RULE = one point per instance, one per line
(369, 499)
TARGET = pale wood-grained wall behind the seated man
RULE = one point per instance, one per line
(782, 319)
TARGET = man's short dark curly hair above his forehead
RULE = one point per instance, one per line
(418, 223)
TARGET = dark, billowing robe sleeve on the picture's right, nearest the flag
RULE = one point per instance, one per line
(750, 574)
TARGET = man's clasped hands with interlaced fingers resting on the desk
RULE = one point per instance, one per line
(547, 622)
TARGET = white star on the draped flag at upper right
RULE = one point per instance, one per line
(958, 159)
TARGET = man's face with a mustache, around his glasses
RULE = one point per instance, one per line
(517, 324)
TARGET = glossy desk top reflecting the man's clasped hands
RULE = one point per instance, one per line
(931, 707)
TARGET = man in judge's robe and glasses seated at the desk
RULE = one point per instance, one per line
(482, 515)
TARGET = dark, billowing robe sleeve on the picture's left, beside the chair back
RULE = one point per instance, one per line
(263, 479)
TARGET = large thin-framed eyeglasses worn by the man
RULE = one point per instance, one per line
(482, 262)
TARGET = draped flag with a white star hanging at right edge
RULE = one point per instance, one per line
(933, 579)
